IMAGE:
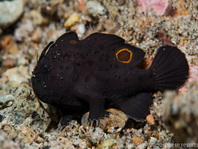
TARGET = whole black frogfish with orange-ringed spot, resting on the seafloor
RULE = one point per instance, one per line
(102, 72)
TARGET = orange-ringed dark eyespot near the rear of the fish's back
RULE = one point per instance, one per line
(125, 57)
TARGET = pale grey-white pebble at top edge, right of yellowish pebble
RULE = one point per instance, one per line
(95, 8)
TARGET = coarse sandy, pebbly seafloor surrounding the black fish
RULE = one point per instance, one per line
(25, 122)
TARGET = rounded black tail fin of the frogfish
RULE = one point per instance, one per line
(170, 68)
